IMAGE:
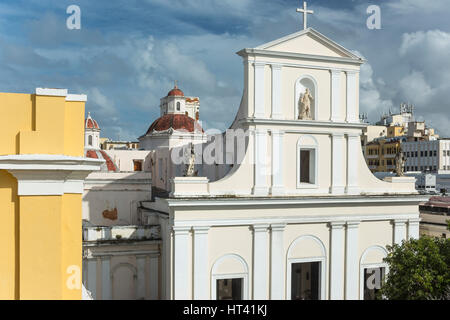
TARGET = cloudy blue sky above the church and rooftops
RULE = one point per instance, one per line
(128, 53)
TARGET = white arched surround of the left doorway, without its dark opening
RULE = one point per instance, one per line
(230, 266)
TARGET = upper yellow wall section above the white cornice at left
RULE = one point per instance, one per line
(31, 124)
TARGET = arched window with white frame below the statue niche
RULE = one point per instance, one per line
(307, 162)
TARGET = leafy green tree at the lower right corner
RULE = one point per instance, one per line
(418, 270)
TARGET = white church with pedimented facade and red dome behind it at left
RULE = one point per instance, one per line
(301, 216)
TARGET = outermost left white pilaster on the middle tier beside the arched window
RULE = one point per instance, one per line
(260, 188)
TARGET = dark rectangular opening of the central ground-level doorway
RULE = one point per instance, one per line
(305, 281)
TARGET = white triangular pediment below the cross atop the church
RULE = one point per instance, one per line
(309, 42)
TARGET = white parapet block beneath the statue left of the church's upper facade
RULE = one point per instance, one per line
(189, 187)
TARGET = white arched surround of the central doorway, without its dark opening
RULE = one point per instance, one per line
(306, 249)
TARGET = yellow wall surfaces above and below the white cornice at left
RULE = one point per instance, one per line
(40, 236)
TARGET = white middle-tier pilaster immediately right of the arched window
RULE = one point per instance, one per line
(337, 163)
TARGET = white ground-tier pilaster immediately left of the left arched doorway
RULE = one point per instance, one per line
(201, 274)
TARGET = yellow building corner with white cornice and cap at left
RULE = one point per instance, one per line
(42, 170)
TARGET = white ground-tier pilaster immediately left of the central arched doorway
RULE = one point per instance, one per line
(277, 259)
